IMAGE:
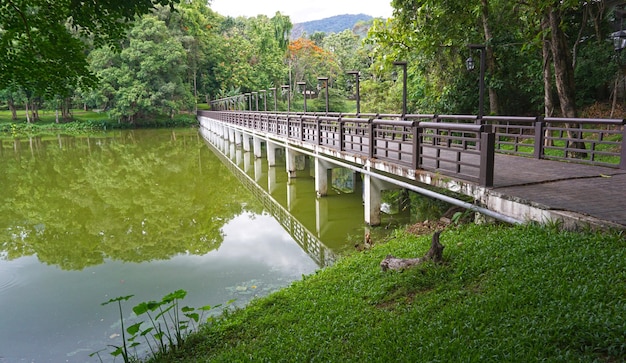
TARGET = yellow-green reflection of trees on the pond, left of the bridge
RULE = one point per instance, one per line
(132, 196)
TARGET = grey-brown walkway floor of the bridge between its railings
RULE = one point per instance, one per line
(593, 191)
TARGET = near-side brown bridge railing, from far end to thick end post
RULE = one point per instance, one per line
(464, 151)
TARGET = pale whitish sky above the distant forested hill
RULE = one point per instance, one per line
(302, 10)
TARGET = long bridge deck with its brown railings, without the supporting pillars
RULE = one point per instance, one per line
(514, 168)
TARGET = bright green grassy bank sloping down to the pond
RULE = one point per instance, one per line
(504, 294)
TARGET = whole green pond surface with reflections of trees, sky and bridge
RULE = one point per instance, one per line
(87, 218)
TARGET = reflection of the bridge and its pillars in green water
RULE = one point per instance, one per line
(322, 226)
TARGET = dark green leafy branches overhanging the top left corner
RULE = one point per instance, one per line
(43, 43)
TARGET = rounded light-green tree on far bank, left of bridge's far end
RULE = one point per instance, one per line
(147, 77)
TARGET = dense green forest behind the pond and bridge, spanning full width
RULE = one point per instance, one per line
(141, 59)
